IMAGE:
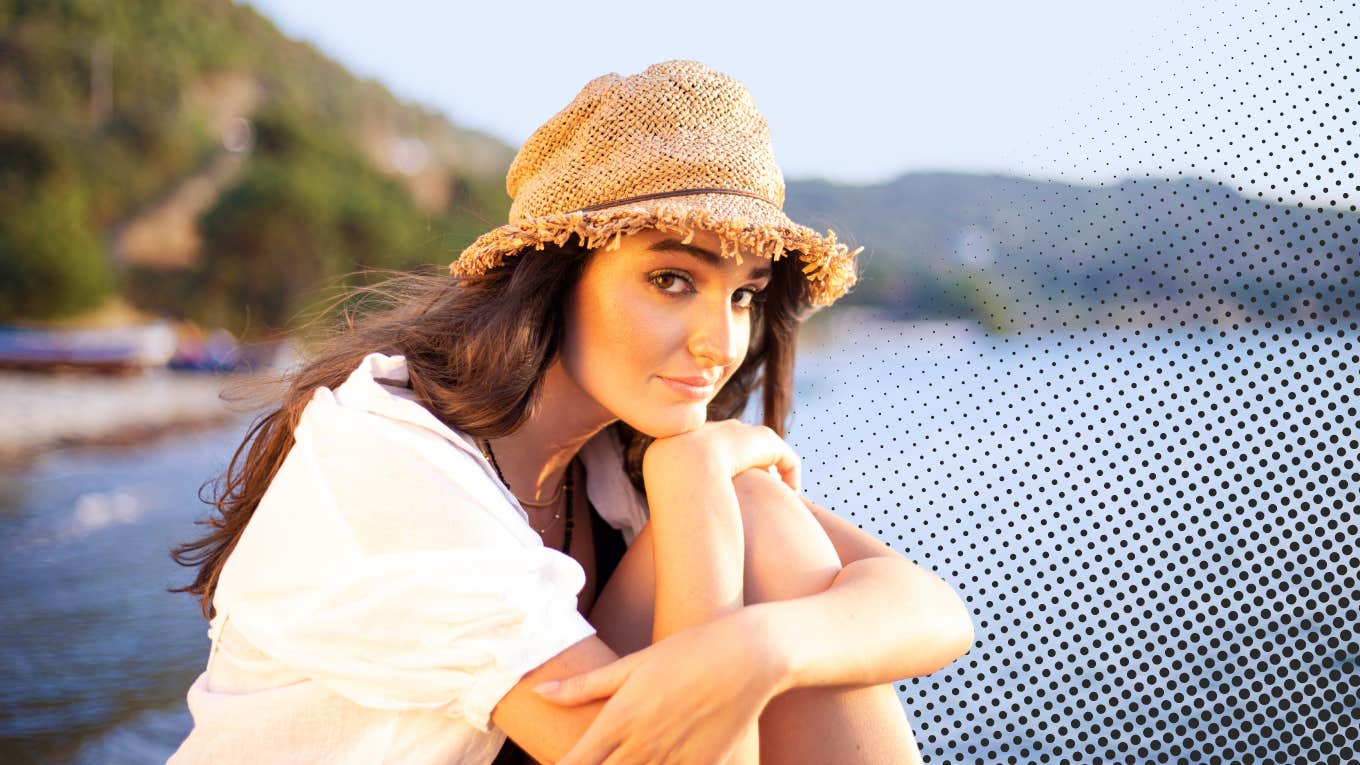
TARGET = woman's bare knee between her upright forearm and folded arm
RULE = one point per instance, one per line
(787, 552)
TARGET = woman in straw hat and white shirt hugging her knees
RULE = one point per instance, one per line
(519, 503)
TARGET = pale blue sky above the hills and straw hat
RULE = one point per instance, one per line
(864, 91)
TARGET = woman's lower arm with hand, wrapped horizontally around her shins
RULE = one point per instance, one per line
(872, 627)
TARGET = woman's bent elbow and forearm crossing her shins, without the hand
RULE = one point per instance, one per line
(882, 620)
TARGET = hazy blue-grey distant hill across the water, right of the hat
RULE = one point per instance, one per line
(1017, 253)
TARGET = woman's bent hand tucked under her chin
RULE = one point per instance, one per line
(732, 444)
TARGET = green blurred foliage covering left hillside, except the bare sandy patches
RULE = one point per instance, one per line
(78, 161)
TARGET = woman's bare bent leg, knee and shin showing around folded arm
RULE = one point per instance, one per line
(788, 556)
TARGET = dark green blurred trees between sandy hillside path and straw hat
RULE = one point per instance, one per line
(307, 212)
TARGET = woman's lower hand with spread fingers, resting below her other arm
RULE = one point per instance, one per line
(686, 699)
